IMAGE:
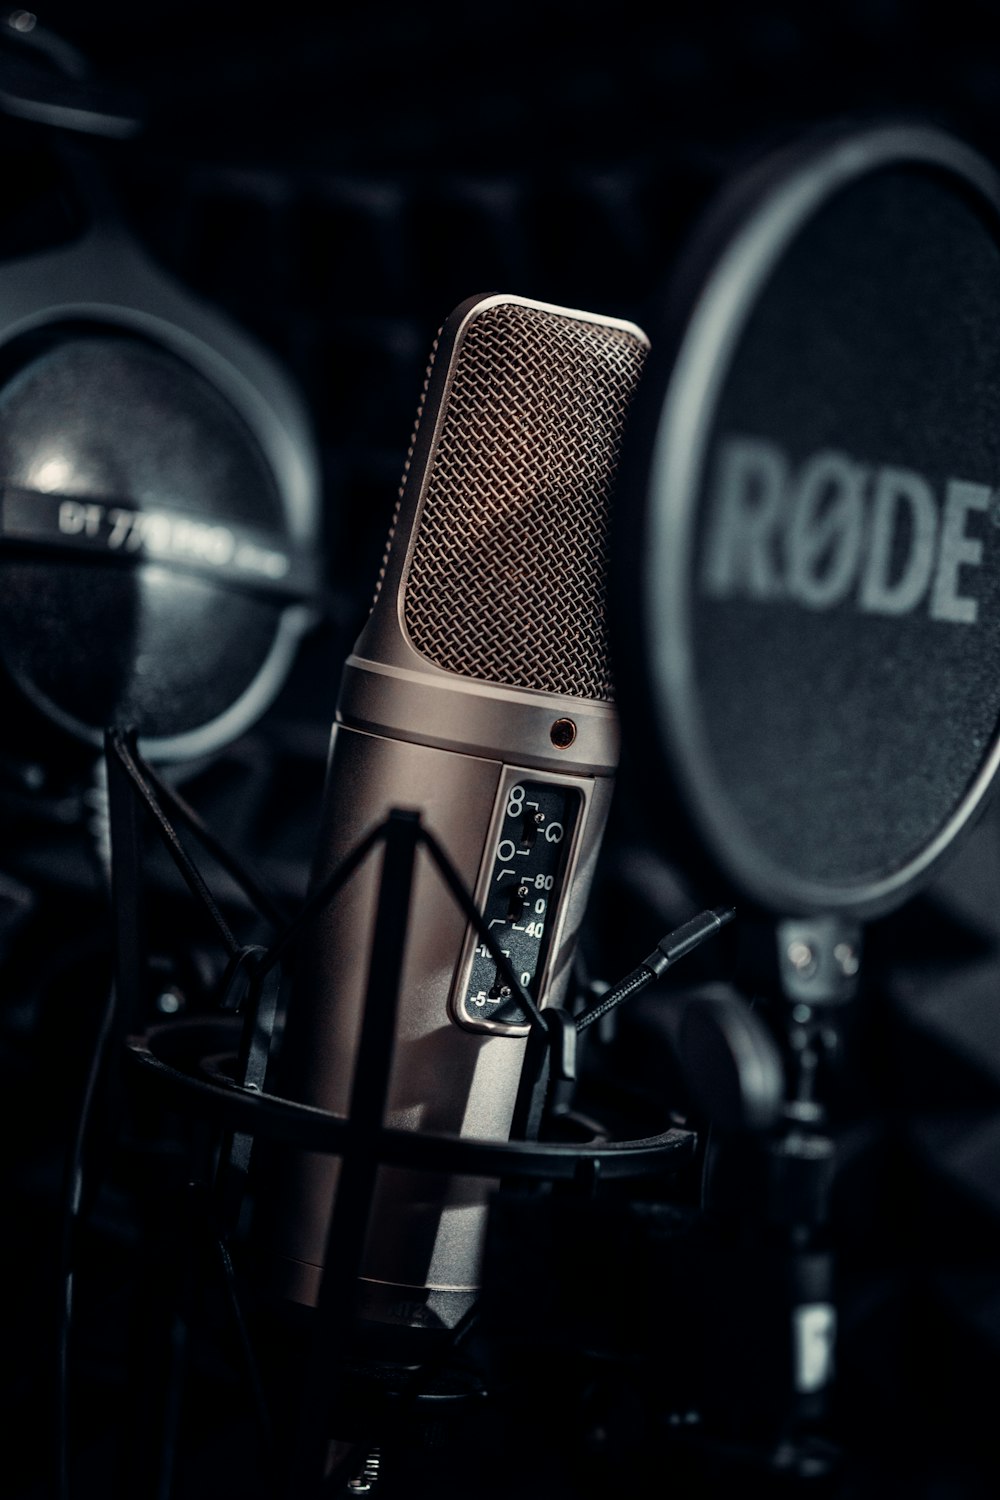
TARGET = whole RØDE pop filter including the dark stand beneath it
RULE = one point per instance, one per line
(806, 614)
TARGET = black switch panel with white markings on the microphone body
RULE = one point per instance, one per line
(521, 904)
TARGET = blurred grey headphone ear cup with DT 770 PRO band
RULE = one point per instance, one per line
(161, 515)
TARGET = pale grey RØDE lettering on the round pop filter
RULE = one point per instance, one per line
(836, 527)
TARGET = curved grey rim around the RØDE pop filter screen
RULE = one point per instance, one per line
(716, 289)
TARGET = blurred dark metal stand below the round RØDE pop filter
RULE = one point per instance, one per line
(773, 1190)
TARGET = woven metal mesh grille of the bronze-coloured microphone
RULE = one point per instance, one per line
(509, 572)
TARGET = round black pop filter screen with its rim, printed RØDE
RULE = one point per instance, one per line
(812, 533)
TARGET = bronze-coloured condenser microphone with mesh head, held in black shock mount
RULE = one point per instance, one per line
(479, 695)
